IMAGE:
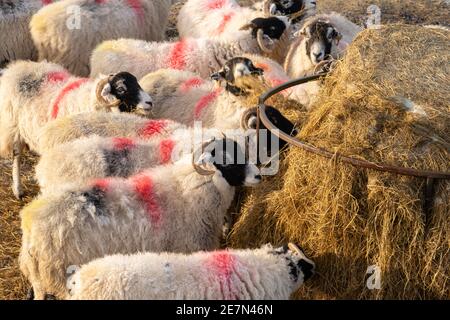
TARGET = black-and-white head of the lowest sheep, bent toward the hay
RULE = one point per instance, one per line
(300, 267)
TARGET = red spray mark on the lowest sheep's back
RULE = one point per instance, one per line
(222, 263)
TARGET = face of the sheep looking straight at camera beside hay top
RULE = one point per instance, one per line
(320, 37)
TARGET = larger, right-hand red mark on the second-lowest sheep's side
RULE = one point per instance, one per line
(143, 186)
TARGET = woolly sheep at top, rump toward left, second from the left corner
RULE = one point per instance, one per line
(66, 32)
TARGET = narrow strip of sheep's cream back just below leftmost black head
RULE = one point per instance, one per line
(102, 124)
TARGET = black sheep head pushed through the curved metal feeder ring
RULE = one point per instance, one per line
(250, 120)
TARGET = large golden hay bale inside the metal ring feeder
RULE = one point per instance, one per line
(386, 102)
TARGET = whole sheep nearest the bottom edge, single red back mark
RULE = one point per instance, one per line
(266, 273)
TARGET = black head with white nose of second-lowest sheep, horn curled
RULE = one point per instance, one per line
(227, 157)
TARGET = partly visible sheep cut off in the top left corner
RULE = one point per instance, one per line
(15, 15)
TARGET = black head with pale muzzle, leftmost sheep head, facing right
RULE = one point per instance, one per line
(124, 87)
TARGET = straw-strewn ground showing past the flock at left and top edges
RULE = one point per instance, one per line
(12, 283)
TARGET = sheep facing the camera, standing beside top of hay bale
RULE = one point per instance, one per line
(322, 37)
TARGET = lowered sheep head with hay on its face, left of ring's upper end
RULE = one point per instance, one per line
(235, 68)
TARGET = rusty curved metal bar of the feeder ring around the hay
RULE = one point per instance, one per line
(325, 153)
